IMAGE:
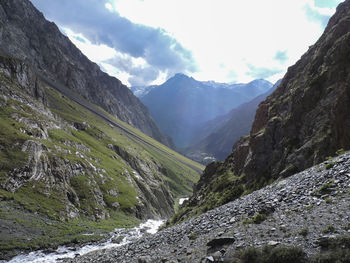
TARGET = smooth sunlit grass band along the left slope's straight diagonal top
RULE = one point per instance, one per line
(183, 172)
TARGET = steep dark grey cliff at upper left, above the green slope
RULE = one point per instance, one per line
(24, 33)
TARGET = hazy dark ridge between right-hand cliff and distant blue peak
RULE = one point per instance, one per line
(223, 132)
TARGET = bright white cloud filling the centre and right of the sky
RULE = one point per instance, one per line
(232, 33)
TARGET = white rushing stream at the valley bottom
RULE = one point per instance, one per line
(124, 235)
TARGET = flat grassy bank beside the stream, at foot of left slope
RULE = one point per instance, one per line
(45, 233)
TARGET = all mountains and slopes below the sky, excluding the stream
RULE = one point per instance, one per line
(76, 161)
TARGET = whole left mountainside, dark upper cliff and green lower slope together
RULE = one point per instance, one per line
(73, 161)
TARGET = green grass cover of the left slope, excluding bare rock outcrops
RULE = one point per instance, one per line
(31, 217)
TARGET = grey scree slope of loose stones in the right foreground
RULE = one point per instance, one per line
(304, 218)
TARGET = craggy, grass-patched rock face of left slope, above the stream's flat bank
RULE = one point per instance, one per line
(64, 170)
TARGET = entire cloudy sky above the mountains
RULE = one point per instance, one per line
(145, 42)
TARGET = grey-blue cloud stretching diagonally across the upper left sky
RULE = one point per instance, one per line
(101, 26)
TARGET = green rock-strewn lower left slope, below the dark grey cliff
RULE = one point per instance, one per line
(68, 174)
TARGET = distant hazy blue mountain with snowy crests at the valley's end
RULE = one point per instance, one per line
(181, 104)
